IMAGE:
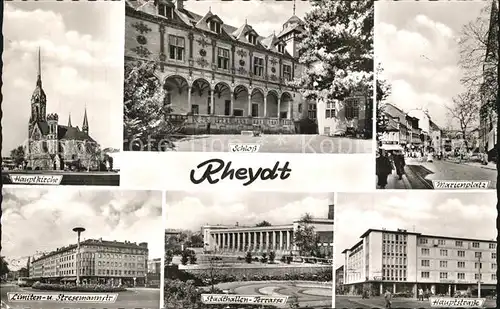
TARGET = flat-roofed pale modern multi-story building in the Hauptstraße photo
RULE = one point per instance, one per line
(403, 261)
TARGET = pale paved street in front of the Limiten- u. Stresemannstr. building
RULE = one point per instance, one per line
(130, 299)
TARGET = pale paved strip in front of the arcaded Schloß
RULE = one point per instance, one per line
(277, 143)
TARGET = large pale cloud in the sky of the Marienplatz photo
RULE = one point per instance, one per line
(420, 60)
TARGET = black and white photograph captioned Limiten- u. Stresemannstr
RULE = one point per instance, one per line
(113, 235)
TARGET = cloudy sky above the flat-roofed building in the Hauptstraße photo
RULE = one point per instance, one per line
(467, 215)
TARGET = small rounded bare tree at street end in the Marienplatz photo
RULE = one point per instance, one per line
(465, 110)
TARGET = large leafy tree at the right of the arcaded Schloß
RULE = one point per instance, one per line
(337, 49)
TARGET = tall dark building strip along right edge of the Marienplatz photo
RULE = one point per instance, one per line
(488, 115)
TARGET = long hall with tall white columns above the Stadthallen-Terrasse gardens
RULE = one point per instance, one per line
(277, 238)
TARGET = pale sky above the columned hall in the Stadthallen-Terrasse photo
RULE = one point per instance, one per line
(190, 211)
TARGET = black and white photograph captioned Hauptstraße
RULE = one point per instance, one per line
(401, 249)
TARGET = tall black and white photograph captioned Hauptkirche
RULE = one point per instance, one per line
(62, 92)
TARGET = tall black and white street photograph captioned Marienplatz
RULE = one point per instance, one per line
(437, 94)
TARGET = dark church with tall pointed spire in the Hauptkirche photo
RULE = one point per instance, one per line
(53, 146)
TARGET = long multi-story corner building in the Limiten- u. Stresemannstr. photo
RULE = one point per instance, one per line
(99, 261)
